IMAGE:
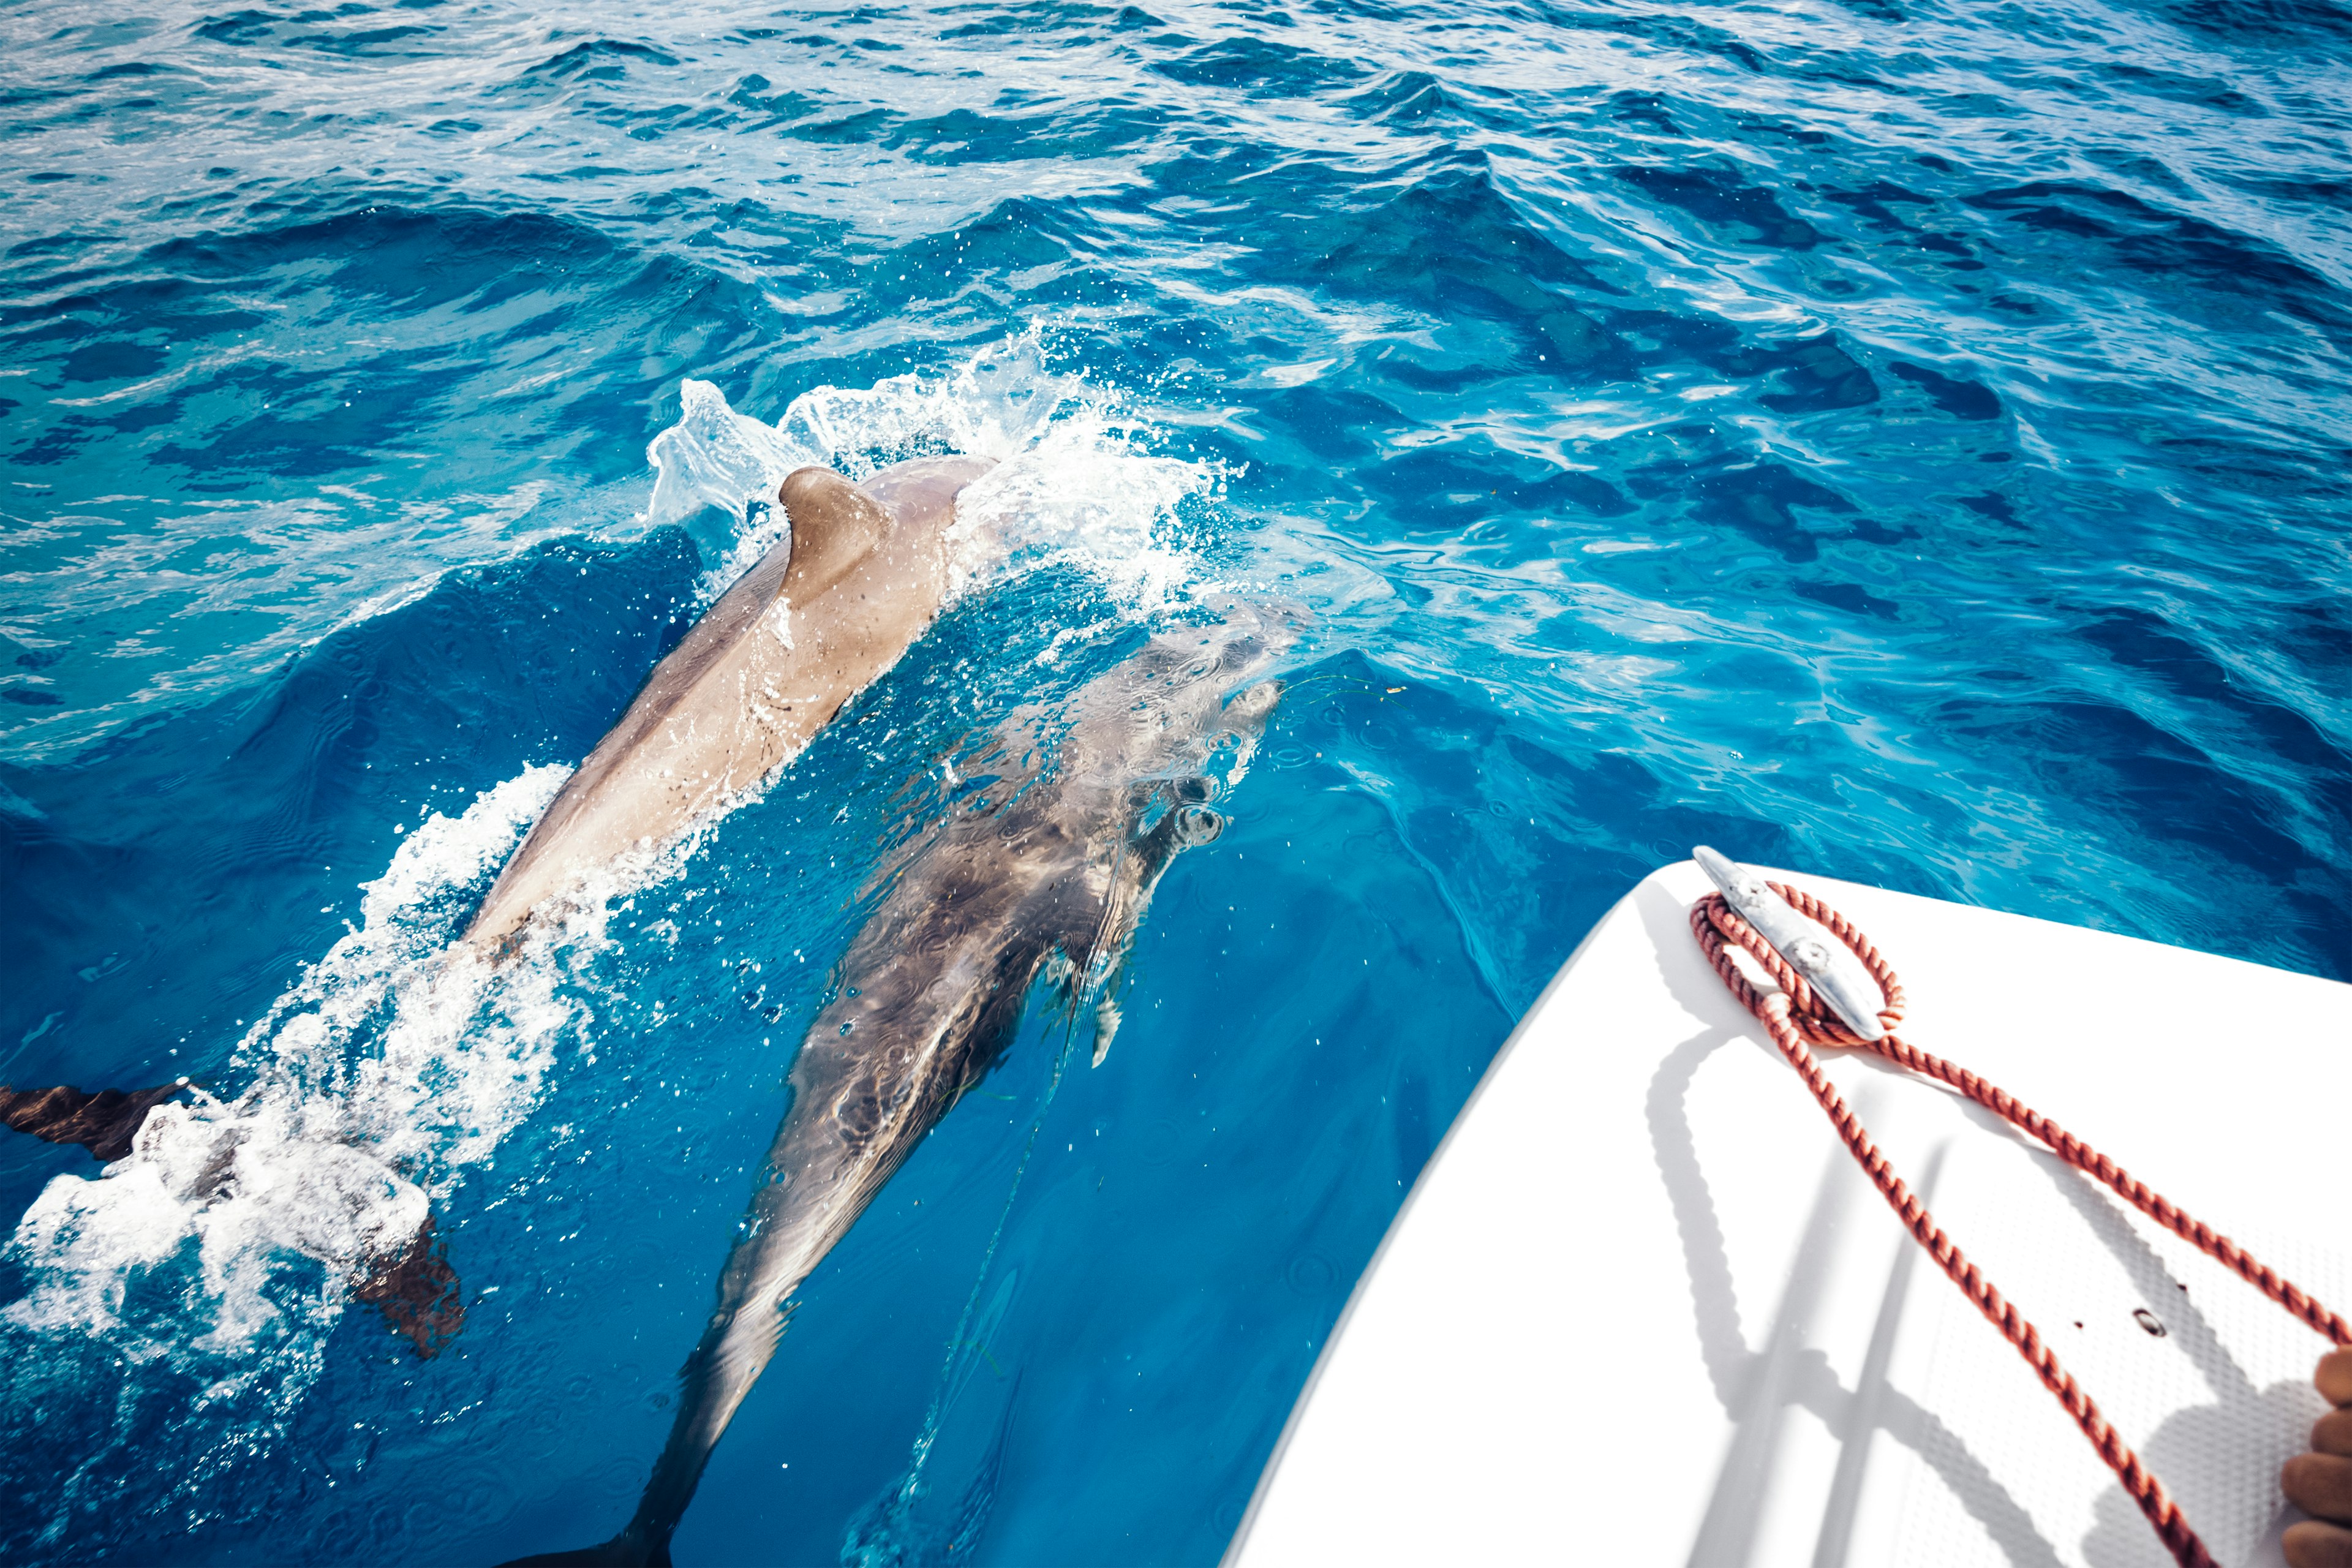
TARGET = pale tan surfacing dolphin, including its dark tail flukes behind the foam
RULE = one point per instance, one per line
(817, 619)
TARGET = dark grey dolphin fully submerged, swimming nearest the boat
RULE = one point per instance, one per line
(1048, 876)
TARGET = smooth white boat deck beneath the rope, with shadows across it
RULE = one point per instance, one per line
(1643, 1308)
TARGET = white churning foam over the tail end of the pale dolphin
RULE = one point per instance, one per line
(375, 1080)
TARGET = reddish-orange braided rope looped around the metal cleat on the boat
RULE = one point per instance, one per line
(1800, 1021)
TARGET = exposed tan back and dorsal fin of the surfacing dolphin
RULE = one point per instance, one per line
(827, 612)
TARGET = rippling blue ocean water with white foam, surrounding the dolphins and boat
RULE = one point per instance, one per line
(1895, 438)
